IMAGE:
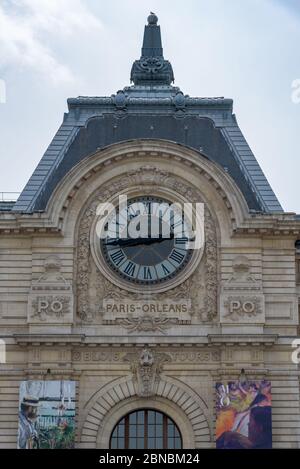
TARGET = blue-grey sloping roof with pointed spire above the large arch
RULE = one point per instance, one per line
(151, 108)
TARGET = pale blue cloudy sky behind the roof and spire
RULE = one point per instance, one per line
(248, 50)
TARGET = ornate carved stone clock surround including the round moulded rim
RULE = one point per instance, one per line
(146, 180)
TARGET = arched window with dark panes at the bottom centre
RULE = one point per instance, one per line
(146, 429)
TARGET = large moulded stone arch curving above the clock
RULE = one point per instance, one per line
(121, 158)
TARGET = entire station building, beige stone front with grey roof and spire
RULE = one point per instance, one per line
(138, 334)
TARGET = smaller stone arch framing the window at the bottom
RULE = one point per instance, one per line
(118, 398)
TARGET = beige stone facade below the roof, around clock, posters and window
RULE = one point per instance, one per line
(242, 302)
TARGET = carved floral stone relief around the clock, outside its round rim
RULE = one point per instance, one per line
(200, 287)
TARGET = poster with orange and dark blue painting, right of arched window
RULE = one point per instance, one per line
(244, 415)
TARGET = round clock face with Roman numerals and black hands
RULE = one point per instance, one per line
(147, 242)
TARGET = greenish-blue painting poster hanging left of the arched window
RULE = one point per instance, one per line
(46, 415)
